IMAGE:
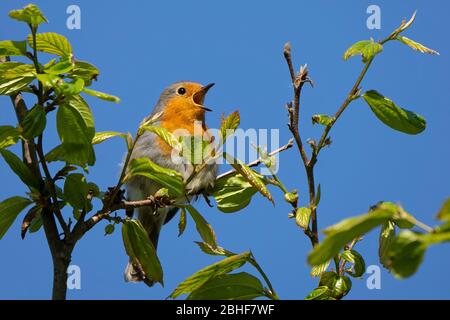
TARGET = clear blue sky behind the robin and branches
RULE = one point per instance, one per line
(142, 46)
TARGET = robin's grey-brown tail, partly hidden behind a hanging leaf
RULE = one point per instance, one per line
(152, 224)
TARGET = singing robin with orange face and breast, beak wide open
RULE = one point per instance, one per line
(182, 108)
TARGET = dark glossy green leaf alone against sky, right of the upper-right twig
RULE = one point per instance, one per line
(393, 116)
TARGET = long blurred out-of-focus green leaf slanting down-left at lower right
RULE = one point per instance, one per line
(345, 231)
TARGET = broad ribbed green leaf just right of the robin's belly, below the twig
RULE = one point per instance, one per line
(233, 193)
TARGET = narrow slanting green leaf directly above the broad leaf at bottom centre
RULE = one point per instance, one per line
(199, 278)
